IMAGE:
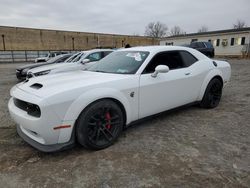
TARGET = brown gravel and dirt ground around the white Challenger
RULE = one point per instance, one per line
(191, 147)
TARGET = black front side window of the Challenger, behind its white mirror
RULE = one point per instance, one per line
(172, 59)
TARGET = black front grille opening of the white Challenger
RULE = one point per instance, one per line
(31, 109)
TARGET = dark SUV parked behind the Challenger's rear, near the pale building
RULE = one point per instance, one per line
(204, 47)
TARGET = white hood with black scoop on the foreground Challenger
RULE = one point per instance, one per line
(45, 86)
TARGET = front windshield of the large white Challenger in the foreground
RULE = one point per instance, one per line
(120, 62)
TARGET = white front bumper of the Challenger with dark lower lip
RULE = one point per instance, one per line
(39, 132)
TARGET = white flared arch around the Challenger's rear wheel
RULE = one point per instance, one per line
(210, 76)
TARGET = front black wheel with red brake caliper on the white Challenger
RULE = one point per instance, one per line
(99, 125)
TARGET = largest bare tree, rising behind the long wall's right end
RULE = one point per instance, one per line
(156, 30)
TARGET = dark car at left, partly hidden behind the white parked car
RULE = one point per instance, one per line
(21, 72)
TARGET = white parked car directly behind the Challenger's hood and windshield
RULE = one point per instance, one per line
(81, 60)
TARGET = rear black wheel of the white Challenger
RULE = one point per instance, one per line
(212, 95)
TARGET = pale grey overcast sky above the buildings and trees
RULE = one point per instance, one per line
(123, 16)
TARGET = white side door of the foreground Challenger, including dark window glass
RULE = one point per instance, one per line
(175, 88)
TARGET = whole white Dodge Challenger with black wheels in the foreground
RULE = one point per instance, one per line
(93, 106)
